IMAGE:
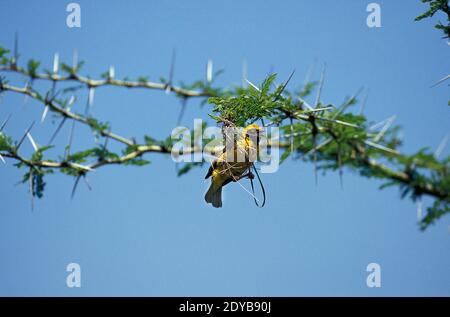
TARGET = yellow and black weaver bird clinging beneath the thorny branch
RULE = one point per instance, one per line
(230, 166)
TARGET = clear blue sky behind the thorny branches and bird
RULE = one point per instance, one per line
(143, 231)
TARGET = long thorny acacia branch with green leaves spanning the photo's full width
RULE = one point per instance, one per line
(330, 136)
